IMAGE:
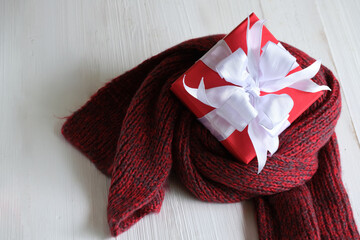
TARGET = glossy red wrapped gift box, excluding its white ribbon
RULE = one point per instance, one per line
(238, 143)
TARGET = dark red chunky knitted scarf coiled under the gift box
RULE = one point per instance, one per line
(136, 131)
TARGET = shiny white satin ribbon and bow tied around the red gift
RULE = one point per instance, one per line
(240, 105)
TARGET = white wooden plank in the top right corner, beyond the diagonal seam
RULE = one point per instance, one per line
(341, 23)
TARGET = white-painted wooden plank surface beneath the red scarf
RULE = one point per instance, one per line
(54, 54)
